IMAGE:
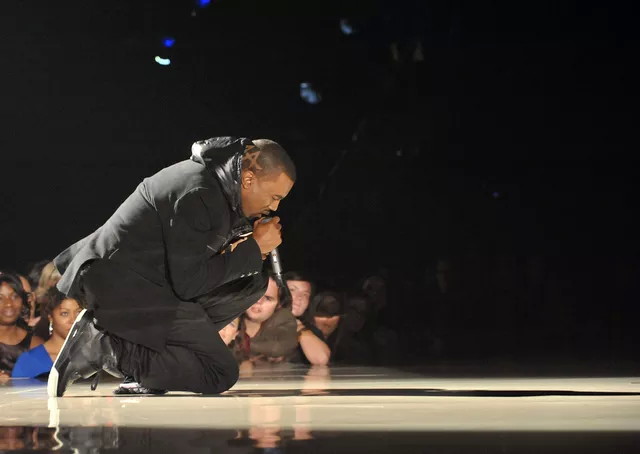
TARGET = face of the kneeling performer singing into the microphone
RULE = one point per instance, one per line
(261, 195)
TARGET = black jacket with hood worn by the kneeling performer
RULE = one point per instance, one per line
(164, 245)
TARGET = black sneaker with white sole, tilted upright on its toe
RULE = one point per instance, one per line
(85, 352)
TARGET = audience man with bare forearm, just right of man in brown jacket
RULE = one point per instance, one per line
(312, 348)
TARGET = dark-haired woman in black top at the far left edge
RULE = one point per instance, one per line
(15, 335)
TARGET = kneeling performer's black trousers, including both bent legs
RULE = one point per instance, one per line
(195, 357)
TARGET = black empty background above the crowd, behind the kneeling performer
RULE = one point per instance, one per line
(507, 154)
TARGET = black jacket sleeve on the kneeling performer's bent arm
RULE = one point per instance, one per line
(195, 232)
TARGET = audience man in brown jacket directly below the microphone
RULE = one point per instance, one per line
(267, 330)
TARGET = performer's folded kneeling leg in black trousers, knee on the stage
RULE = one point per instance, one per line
(195, 358)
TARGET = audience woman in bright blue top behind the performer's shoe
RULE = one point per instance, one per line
(61, 312)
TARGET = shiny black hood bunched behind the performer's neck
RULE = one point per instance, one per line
(222, 156)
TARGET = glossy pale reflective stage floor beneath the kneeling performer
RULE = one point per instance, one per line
(294, 409)
